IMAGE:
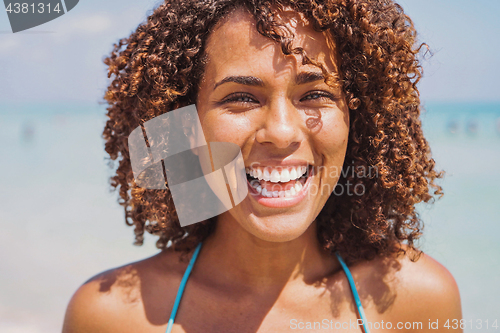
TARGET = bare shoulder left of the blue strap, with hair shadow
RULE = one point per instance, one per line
(115, 300)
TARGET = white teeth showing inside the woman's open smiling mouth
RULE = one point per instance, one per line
(278, 182)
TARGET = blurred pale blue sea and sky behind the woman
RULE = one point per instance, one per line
(60, 225)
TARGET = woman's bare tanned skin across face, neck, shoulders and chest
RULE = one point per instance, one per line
(263, 267)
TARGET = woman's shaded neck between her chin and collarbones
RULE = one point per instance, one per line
(234, 256)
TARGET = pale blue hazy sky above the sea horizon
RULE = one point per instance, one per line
(61, 61)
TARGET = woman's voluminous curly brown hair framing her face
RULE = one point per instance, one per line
(159, 66)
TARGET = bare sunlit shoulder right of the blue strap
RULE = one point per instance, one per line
(401, 287)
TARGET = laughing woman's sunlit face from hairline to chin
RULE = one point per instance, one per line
(283, 116)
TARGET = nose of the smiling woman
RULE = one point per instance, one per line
(281, 125)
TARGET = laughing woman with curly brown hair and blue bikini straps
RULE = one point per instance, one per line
(327, 89)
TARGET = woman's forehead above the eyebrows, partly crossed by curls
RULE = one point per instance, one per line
(235, 43)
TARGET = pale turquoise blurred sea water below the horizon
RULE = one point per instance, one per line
(60, 224)
